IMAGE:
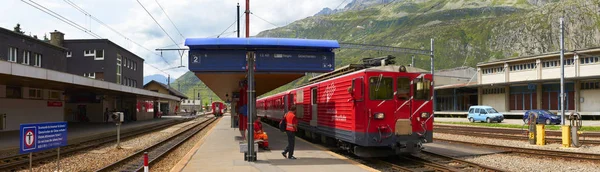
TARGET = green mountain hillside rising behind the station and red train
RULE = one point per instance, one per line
(466, 32)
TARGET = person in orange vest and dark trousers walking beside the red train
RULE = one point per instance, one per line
(290, 130)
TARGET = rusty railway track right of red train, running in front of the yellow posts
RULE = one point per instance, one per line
(535, 152)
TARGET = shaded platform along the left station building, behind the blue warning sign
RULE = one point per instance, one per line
(80, 132)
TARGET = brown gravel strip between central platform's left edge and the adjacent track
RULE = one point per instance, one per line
(170, 160)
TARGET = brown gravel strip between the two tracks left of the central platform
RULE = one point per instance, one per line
(96, 158)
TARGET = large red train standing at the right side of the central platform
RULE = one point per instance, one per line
(367, 110)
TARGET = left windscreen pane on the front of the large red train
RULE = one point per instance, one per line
(381, 88)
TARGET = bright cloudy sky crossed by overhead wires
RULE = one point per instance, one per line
(193, 19)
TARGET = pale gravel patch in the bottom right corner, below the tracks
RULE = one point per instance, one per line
(519, 163)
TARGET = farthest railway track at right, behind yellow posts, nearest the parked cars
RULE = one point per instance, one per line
(507, 134)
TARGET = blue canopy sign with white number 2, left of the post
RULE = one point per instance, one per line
(217, 61)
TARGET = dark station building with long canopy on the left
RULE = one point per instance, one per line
(44, 81)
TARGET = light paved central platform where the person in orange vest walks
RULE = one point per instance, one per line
(219, 151)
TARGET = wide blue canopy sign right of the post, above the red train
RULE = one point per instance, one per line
(294, 61)
